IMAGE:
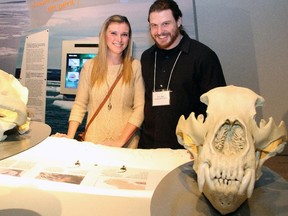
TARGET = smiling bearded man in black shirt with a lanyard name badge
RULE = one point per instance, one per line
(177, 70)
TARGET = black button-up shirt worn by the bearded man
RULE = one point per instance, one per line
(197, 71)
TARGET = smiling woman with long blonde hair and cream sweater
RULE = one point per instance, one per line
(119, 119)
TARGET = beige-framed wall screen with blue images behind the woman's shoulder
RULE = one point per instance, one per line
(74, 55)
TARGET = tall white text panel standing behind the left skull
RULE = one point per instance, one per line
(34, 73)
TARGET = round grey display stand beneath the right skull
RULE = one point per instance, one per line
(178, 194)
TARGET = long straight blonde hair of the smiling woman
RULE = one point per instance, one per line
(100, 66)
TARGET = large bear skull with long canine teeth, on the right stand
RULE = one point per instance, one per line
(228, 147)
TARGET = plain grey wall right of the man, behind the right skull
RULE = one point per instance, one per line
(251, 40)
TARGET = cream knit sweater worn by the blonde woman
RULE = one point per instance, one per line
(127, 102)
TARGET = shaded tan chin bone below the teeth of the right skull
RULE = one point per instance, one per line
(223, 202)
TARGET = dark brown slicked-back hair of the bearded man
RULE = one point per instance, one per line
(160, 5)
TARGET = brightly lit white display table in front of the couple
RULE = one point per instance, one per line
(65, 177)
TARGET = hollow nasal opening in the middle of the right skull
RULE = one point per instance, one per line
(230, 138)
